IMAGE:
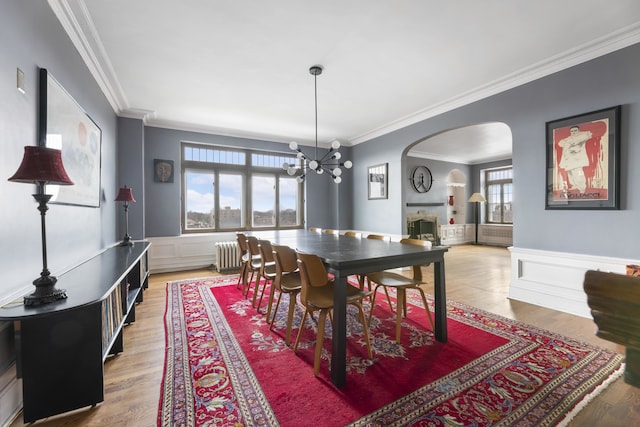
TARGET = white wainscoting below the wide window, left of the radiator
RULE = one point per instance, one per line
(185, 252)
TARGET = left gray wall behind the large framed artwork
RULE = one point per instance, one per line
(32, 37)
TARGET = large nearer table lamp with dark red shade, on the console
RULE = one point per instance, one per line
(41, 165)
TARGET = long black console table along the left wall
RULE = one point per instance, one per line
(61, 346)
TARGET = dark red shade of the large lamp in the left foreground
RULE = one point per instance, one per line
(41, 164)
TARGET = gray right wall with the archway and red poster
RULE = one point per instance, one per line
(604, 82)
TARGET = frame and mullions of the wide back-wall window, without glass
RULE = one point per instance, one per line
(247, 170)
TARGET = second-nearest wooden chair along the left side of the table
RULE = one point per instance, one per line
(287, 281)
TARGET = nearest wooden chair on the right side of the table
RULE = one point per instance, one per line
(390, 279)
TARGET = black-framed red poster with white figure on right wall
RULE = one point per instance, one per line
(583, 161)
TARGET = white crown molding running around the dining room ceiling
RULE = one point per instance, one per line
(76, 20)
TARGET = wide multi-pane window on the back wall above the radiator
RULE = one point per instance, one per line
(233, 189)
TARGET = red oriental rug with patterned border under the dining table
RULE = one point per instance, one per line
(224, 367)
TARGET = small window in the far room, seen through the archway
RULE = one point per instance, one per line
(499, 191)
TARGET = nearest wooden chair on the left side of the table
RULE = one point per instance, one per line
(316, 294)
